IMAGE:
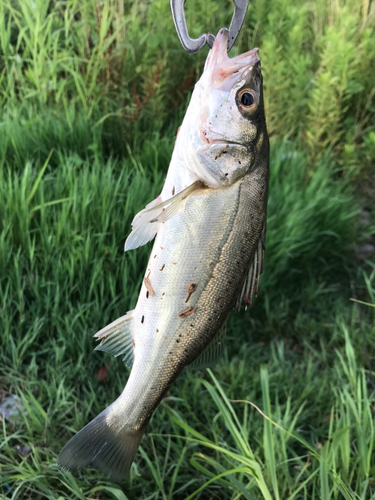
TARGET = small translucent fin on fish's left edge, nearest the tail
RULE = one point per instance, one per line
(116, 338)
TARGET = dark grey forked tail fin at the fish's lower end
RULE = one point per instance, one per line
(105, 443)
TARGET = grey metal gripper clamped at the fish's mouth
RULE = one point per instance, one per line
(193, 45)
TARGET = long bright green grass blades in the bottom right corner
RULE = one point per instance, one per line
(321, 469)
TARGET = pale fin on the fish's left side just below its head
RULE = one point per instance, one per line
(145, 223)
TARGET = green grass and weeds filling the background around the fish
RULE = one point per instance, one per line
(92, 93)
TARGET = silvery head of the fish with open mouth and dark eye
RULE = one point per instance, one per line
(227, 114)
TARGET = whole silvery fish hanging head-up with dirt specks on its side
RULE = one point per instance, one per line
(209, 225)
